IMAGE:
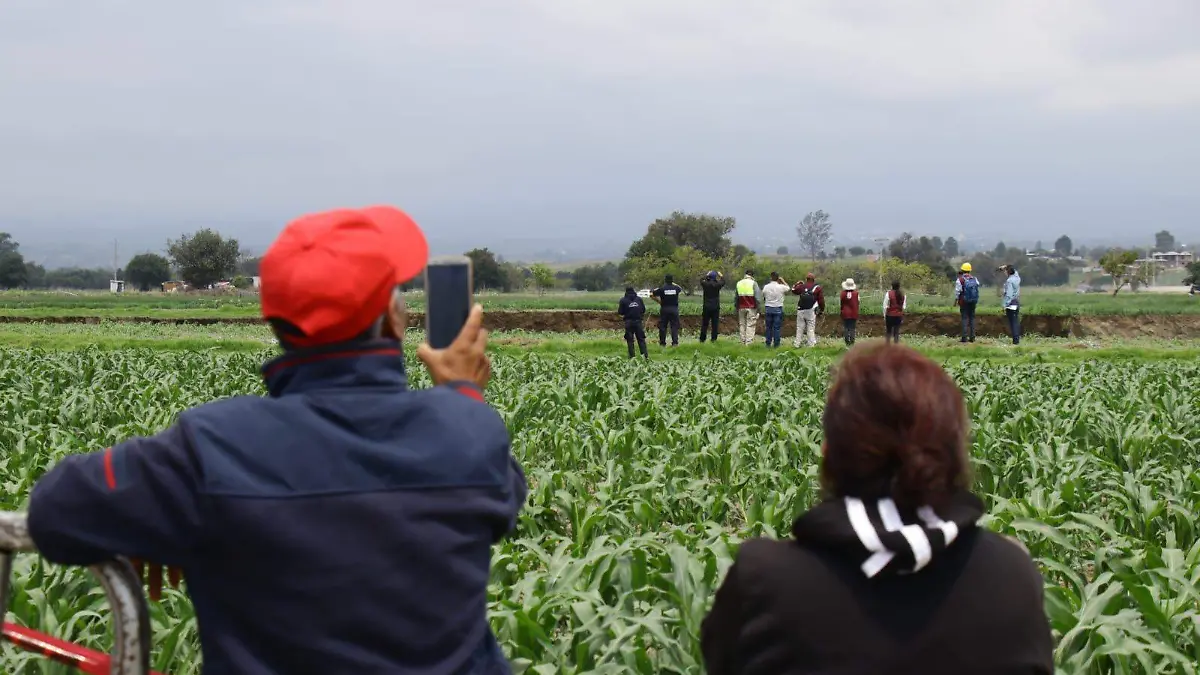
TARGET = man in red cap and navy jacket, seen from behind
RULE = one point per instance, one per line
(341, 524)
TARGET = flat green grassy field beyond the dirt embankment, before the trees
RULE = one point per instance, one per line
(1058, 302)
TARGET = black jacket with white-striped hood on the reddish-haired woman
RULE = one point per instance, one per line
(865, 589)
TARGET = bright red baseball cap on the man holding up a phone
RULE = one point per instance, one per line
(333, 274)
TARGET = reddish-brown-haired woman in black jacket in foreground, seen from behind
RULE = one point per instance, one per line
(890, 574)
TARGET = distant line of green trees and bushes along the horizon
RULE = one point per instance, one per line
(686, 246)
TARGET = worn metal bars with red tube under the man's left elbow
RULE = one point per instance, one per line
(123, 587)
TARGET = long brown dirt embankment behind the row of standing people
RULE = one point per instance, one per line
(946, 325)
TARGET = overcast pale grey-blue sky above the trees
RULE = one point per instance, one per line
(569, 126)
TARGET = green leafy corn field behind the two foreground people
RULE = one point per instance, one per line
(646, 477)
